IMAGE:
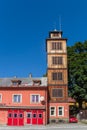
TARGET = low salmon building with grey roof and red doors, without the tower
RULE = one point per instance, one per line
(23, 101)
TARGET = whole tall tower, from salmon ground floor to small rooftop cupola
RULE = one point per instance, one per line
(57, 76)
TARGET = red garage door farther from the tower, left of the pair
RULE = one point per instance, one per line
(15, 117)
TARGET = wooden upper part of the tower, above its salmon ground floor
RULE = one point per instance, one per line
(57, 67)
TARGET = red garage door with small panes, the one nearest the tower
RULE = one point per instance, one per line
(35, 117)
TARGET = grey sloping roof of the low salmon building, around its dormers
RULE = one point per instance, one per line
(29, 81)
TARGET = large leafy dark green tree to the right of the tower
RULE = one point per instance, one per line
(77, 71)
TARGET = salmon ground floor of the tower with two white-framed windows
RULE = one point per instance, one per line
(58, 112)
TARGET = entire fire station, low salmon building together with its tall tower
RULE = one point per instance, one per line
(38, 101)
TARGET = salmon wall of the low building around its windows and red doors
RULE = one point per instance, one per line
(7, 99)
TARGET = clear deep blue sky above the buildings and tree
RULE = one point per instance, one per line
(24, 26)
